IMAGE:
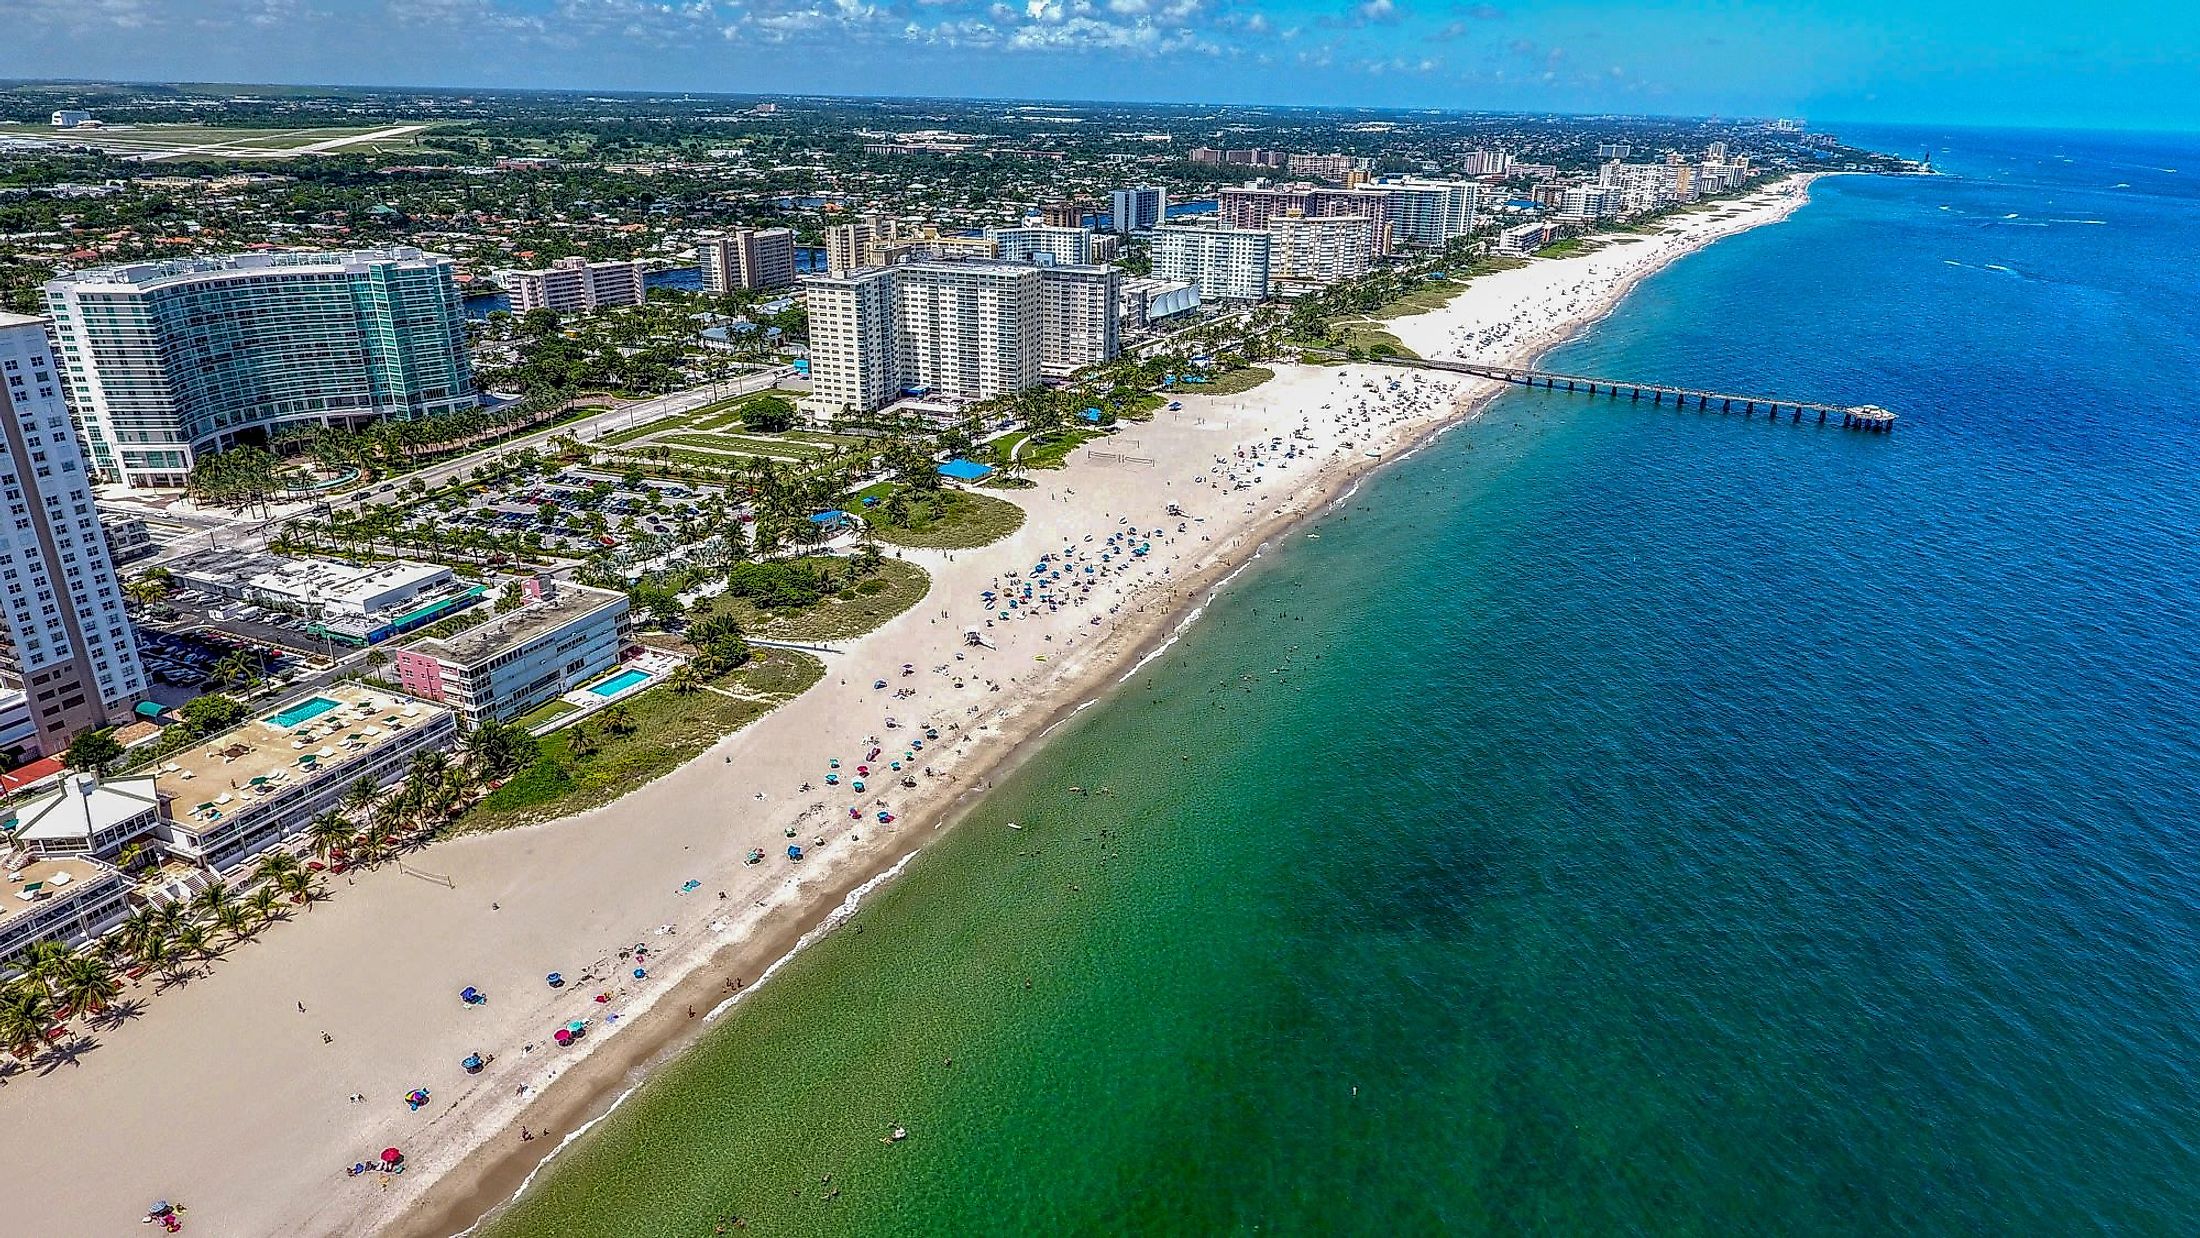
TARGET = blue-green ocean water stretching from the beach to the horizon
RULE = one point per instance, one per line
(1609, 821)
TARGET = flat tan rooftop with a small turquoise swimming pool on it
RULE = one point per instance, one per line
(258, 758)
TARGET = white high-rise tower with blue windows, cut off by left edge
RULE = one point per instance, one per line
(67, 637)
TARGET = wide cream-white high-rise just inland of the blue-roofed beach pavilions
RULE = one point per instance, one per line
(958, 331)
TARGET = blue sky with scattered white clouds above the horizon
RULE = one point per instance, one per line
(2021, 63)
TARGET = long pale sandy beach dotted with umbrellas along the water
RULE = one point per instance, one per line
(223, 1094)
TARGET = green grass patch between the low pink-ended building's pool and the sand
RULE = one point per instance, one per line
(670, 731)
